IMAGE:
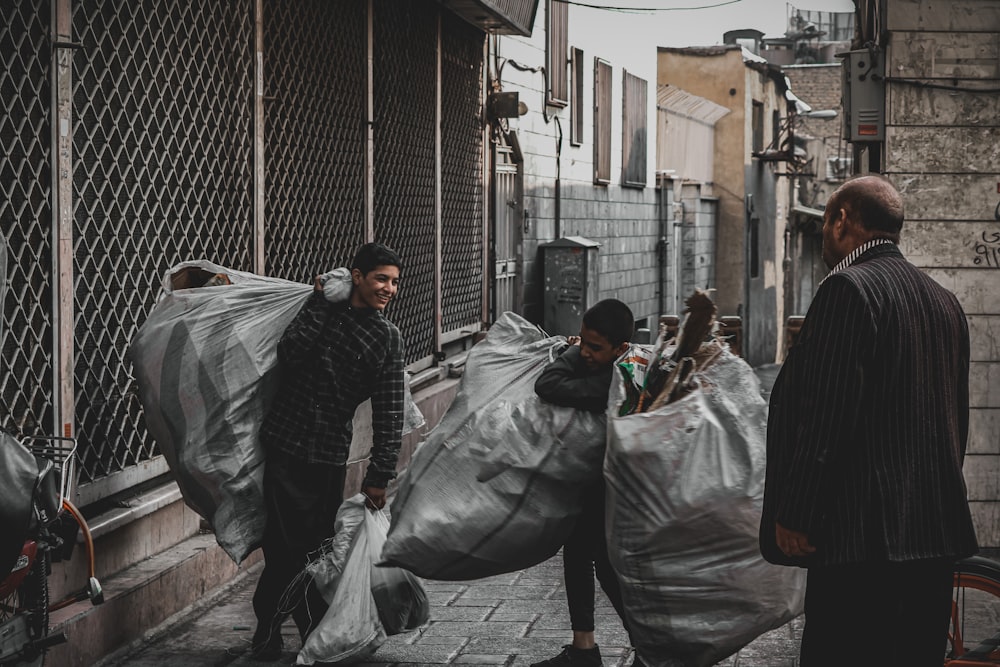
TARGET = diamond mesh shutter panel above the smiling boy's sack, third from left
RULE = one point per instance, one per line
(315, 81)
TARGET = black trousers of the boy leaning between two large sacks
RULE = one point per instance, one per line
(585, 554)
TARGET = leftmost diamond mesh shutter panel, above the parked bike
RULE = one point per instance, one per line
(26, 354)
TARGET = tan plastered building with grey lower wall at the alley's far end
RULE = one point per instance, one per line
(753, 196)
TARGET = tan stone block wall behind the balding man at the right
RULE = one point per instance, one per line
(941, 150)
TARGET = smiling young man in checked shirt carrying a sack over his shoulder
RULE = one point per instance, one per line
(331, 358)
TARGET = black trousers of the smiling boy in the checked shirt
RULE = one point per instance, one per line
(301, 500)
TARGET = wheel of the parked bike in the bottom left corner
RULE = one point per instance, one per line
(25, 617)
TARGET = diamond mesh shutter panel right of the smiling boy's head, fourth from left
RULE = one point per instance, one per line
(405, 65)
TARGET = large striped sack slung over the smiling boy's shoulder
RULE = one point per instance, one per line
(204, 362)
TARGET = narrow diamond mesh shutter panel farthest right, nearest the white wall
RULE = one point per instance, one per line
(462, 168)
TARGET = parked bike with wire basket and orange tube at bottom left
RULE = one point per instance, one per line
(36, 472)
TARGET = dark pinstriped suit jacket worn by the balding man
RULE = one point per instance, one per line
(869, 418)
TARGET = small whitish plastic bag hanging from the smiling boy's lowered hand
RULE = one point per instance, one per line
(367, 602)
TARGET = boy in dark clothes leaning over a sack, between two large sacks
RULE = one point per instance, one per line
(581, 378)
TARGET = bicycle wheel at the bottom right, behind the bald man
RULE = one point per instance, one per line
(974, 634)
